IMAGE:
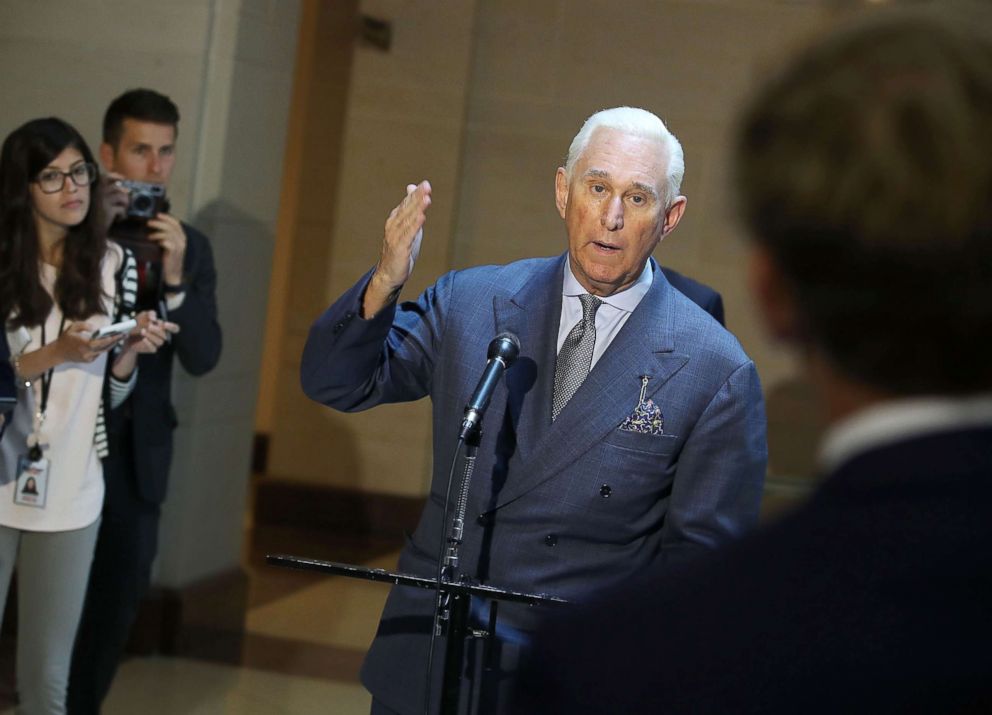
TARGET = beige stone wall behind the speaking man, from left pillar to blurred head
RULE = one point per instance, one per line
(483, 98)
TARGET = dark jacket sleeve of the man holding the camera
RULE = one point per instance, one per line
(198, 342)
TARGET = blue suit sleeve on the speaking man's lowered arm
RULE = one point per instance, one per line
(718, 482)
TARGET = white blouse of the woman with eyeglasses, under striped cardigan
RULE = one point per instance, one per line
(74, 495)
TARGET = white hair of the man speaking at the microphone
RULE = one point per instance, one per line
(638, 122)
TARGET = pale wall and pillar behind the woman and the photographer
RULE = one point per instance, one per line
(228, 65)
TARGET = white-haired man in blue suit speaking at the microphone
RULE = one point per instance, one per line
(630, 432)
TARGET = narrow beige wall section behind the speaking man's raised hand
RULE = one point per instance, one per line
(404, 120)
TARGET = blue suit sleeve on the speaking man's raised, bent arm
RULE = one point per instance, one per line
(351, 364)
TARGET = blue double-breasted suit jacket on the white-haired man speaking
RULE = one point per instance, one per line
(564, 507)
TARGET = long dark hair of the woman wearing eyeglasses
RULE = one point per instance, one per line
(78, 288)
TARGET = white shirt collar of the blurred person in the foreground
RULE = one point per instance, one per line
(899, 420)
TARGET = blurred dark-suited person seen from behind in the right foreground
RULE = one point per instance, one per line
(864, 177)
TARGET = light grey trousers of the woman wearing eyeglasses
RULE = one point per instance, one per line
(52, 570)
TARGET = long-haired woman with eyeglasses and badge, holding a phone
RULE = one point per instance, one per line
(60, 281)
